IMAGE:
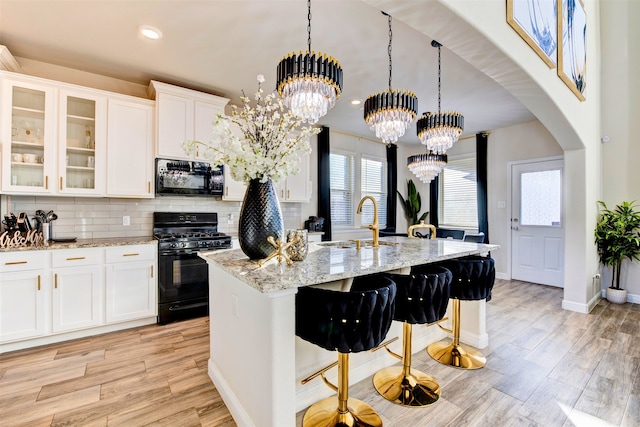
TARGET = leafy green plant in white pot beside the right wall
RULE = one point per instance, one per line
(617, 236)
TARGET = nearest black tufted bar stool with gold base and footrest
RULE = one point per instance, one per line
(347, 322)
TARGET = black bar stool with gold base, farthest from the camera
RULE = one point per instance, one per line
(473, 279)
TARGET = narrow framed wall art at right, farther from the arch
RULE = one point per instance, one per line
(572, 49)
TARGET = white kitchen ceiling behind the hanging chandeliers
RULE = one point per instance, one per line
(221, 46)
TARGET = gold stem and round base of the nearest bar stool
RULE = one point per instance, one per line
(345, 412)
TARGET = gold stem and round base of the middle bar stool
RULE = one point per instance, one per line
(405, 386)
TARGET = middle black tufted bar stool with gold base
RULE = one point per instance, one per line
(421, 299)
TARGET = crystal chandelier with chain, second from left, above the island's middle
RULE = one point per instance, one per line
(389, 113)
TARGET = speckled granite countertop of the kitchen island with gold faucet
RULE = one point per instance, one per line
(332, 261)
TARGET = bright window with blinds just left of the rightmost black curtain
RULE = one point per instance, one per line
(457, 194)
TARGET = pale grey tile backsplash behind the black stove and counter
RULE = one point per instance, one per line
(87, 218)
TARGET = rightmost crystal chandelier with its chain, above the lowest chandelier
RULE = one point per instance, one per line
(440, 130)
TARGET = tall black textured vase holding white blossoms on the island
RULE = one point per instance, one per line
(260, 217)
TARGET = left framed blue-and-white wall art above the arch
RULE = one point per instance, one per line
(536, 21)
